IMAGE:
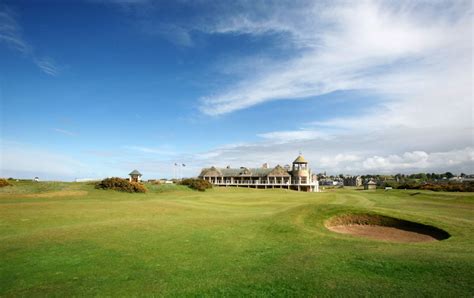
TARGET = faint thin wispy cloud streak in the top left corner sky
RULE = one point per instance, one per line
(11, 35)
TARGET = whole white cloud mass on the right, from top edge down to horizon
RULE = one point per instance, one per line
(416, 57)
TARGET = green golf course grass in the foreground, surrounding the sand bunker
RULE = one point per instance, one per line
(69, 239)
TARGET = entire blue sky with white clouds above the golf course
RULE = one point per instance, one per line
(97, 88)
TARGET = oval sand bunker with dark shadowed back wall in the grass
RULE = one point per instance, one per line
(385, 228)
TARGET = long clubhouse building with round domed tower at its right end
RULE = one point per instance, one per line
(298, 177)
